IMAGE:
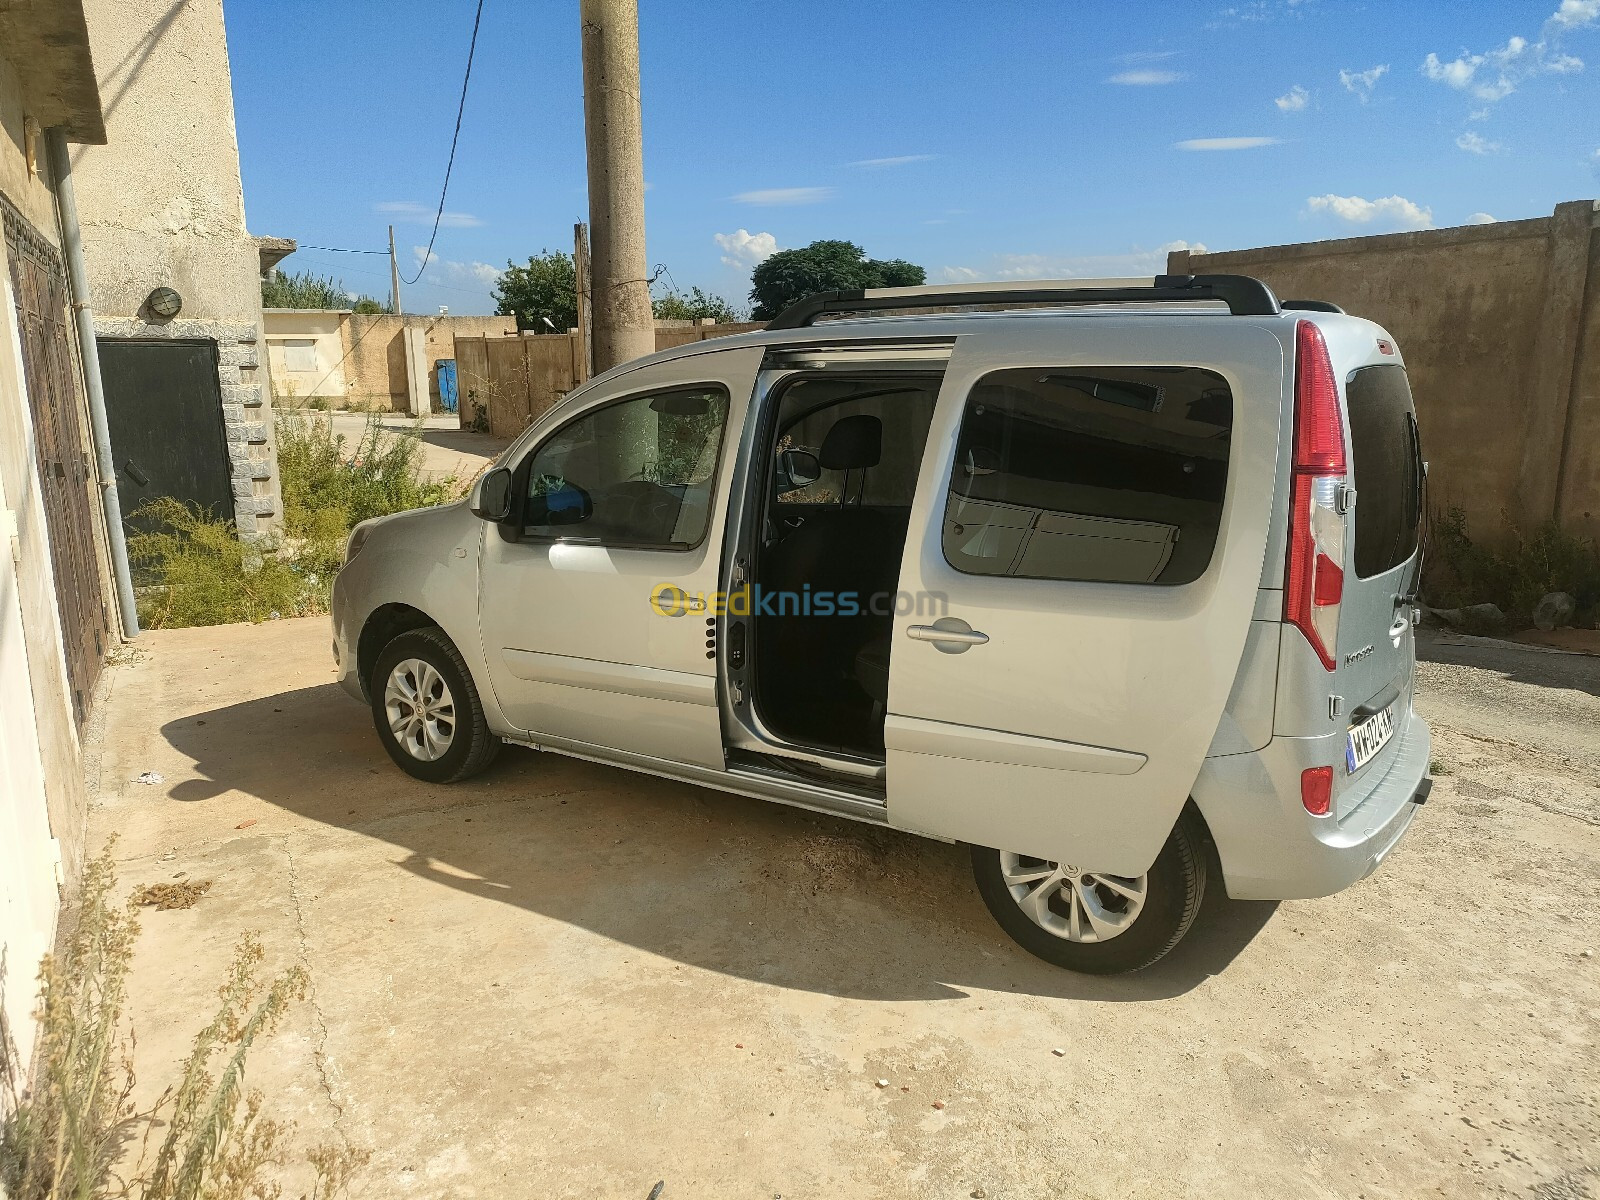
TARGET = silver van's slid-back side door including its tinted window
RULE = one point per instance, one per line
(1081, 574)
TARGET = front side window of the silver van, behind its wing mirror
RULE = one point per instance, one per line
(638, 474)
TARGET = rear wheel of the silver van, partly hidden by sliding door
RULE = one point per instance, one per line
(1113, 942)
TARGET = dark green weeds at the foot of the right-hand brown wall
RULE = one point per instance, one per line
(1462, 572)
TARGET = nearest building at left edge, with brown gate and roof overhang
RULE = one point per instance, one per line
(57, 612)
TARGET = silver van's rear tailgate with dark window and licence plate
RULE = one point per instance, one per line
(1377, 650)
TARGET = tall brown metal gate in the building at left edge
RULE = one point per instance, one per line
(62, 454)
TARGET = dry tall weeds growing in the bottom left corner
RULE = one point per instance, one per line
(71, 1135)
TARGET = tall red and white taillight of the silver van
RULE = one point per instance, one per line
(1316, 572)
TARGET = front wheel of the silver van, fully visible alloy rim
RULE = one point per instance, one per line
(454, 742)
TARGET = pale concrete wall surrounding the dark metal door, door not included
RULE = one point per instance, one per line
(162, 206)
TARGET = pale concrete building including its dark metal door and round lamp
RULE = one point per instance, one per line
(162, 209)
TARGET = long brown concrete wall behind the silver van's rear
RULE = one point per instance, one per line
(1500, 327)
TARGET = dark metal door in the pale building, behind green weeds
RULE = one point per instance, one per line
(164, 406)
